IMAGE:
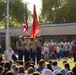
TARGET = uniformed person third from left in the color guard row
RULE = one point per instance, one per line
(32, 49)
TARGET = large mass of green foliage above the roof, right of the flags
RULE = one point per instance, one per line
(58, 11)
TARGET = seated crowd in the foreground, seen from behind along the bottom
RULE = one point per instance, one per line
(30, 68)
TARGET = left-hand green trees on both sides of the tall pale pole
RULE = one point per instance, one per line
(17, 11)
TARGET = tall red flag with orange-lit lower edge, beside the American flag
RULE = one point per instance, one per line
(35, 24)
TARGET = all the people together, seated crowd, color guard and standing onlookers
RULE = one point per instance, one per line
(38, 58)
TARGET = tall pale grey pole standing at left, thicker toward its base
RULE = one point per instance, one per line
(7, 32)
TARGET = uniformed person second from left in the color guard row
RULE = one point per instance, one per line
(26, 49)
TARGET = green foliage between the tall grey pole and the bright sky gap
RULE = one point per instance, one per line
(16, 11)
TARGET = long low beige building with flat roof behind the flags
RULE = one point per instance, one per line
(51, 31)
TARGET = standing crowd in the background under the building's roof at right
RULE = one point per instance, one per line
(58, 50)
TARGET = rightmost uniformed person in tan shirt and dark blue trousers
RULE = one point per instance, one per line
(38, 48)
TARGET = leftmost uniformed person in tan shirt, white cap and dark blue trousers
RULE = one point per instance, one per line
(19, 47)
